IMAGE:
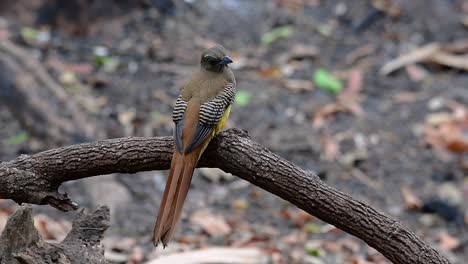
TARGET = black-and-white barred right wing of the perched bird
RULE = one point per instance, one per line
(210, 115)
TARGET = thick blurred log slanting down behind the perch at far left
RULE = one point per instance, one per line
(33, 96)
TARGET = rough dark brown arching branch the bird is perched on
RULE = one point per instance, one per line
(36, 178)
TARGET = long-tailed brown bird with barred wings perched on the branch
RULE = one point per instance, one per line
(200, 112)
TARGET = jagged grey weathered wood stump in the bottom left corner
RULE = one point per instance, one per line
(20, 242)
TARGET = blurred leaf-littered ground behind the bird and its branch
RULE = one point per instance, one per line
(369, 94)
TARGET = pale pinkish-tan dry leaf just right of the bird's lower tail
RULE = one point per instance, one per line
(214, 225)
